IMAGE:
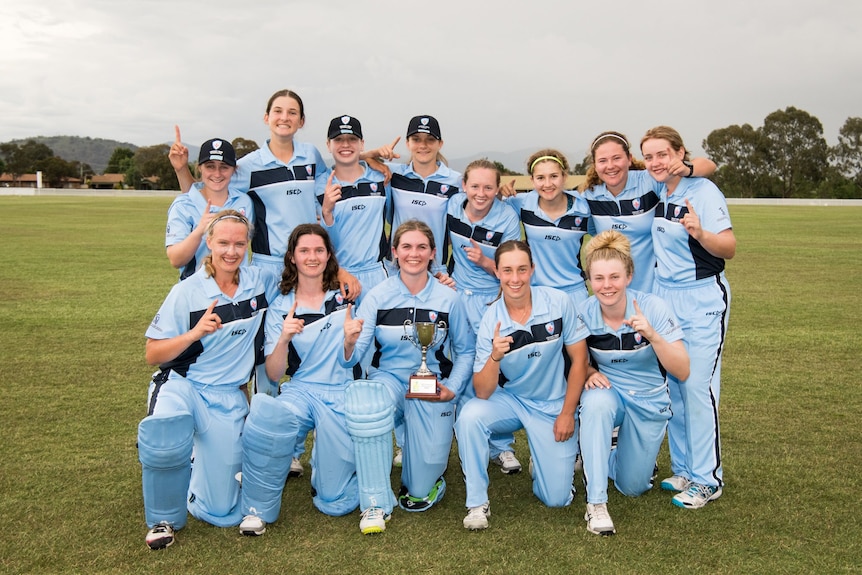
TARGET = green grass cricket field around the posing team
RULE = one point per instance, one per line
(82, 278)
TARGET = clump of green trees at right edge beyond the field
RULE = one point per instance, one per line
(787, 157)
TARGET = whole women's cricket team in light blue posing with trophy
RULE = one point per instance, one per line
(379, 309)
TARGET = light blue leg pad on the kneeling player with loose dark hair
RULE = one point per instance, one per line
(268, 440)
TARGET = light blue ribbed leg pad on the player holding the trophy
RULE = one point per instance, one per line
(370, 419)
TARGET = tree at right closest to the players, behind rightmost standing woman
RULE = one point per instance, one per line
(740, 153)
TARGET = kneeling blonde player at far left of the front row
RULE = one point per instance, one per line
(203, 339)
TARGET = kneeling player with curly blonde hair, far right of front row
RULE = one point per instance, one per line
(634, 341)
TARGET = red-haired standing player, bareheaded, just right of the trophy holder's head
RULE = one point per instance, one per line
(477, 224)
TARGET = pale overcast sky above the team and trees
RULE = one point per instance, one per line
(499, 75)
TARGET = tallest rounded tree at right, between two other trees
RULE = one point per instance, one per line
(797, 154)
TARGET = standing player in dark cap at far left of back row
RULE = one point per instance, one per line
(191, 213)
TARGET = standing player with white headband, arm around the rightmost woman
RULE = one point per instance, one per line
(623, 196)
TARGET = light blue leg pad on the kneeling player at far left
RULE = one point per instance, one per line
(165, 450)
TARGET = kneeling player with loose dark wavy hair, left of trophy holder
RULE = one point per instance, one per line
(304, 333)
